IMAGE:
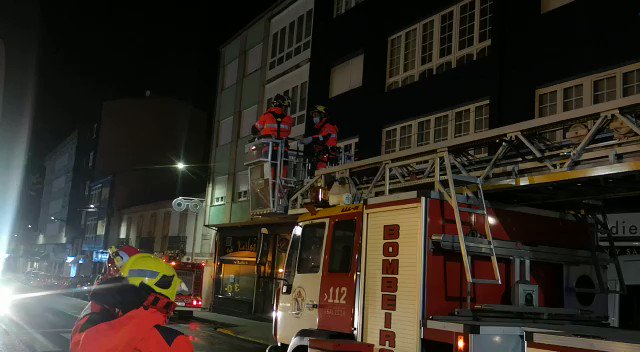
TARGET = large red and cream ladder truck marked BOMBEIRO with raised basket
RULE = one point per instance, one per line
(483, 243)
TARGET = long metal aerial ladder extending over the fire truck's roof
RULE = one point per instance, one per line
(557, 162)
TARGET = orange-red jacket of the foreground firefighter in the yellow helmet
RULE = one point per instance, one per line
(111, 322)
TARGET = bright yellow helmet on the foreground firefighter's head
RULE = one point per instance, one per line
(152, 271)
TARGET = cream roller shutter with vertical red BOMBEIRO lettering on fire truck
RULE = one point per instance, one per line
(393, 271)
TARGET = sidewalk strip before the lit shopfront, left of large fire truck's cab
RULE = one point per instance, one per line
(245, 329)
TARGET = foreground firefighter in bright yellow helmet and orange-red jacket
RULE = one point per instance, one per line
(130, 312)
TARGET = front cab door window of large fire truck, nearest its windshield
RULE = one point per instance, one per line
(311, 243)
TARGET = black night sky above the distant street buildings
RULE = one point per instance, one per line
(90, 52)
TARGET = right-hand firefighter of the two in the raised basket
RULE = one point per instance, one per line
(325, 143)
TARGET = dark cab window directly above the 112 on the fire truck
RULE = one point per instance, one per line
(342, 242)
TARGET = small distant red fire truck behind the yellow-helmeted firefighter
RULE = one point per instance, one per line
(189, 298)
